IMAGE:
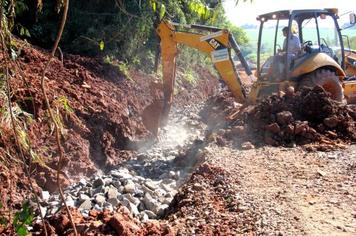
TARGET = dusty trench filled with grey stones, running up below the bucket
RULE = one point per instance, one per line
(147, 183)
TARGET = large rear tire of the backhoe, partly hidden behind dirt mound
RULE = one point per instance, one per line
(325, 79)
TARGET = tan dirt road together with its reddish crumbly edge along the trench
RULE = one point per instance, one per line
(269, 191)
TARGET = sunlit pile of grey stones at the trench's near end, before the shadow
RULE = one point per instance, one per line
(144, 197)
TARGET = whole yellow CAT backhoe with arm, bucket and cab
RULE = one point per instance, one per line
(322, 61)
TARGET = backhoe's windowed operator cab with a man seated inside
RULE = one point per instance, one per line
(317, 32)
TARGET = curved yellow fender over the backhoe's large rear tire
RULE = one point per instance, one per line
(314, 62)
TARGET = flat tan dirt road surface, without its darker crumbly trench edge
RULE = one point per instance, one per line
(294, 192)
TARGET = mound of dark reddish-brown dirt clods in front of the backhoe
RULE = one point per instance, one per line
(306, 117)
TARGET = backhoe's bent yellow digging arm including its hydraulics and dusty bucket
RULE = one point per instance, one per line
(217, 44)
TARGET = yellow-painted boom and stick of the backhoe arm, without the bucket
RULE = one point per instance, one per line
(226, 68)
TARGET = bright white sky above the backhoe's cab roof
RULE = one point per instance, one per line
(246, 12)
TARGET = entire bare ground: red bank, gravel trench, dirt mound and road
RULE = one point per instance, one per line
(217, 168)
